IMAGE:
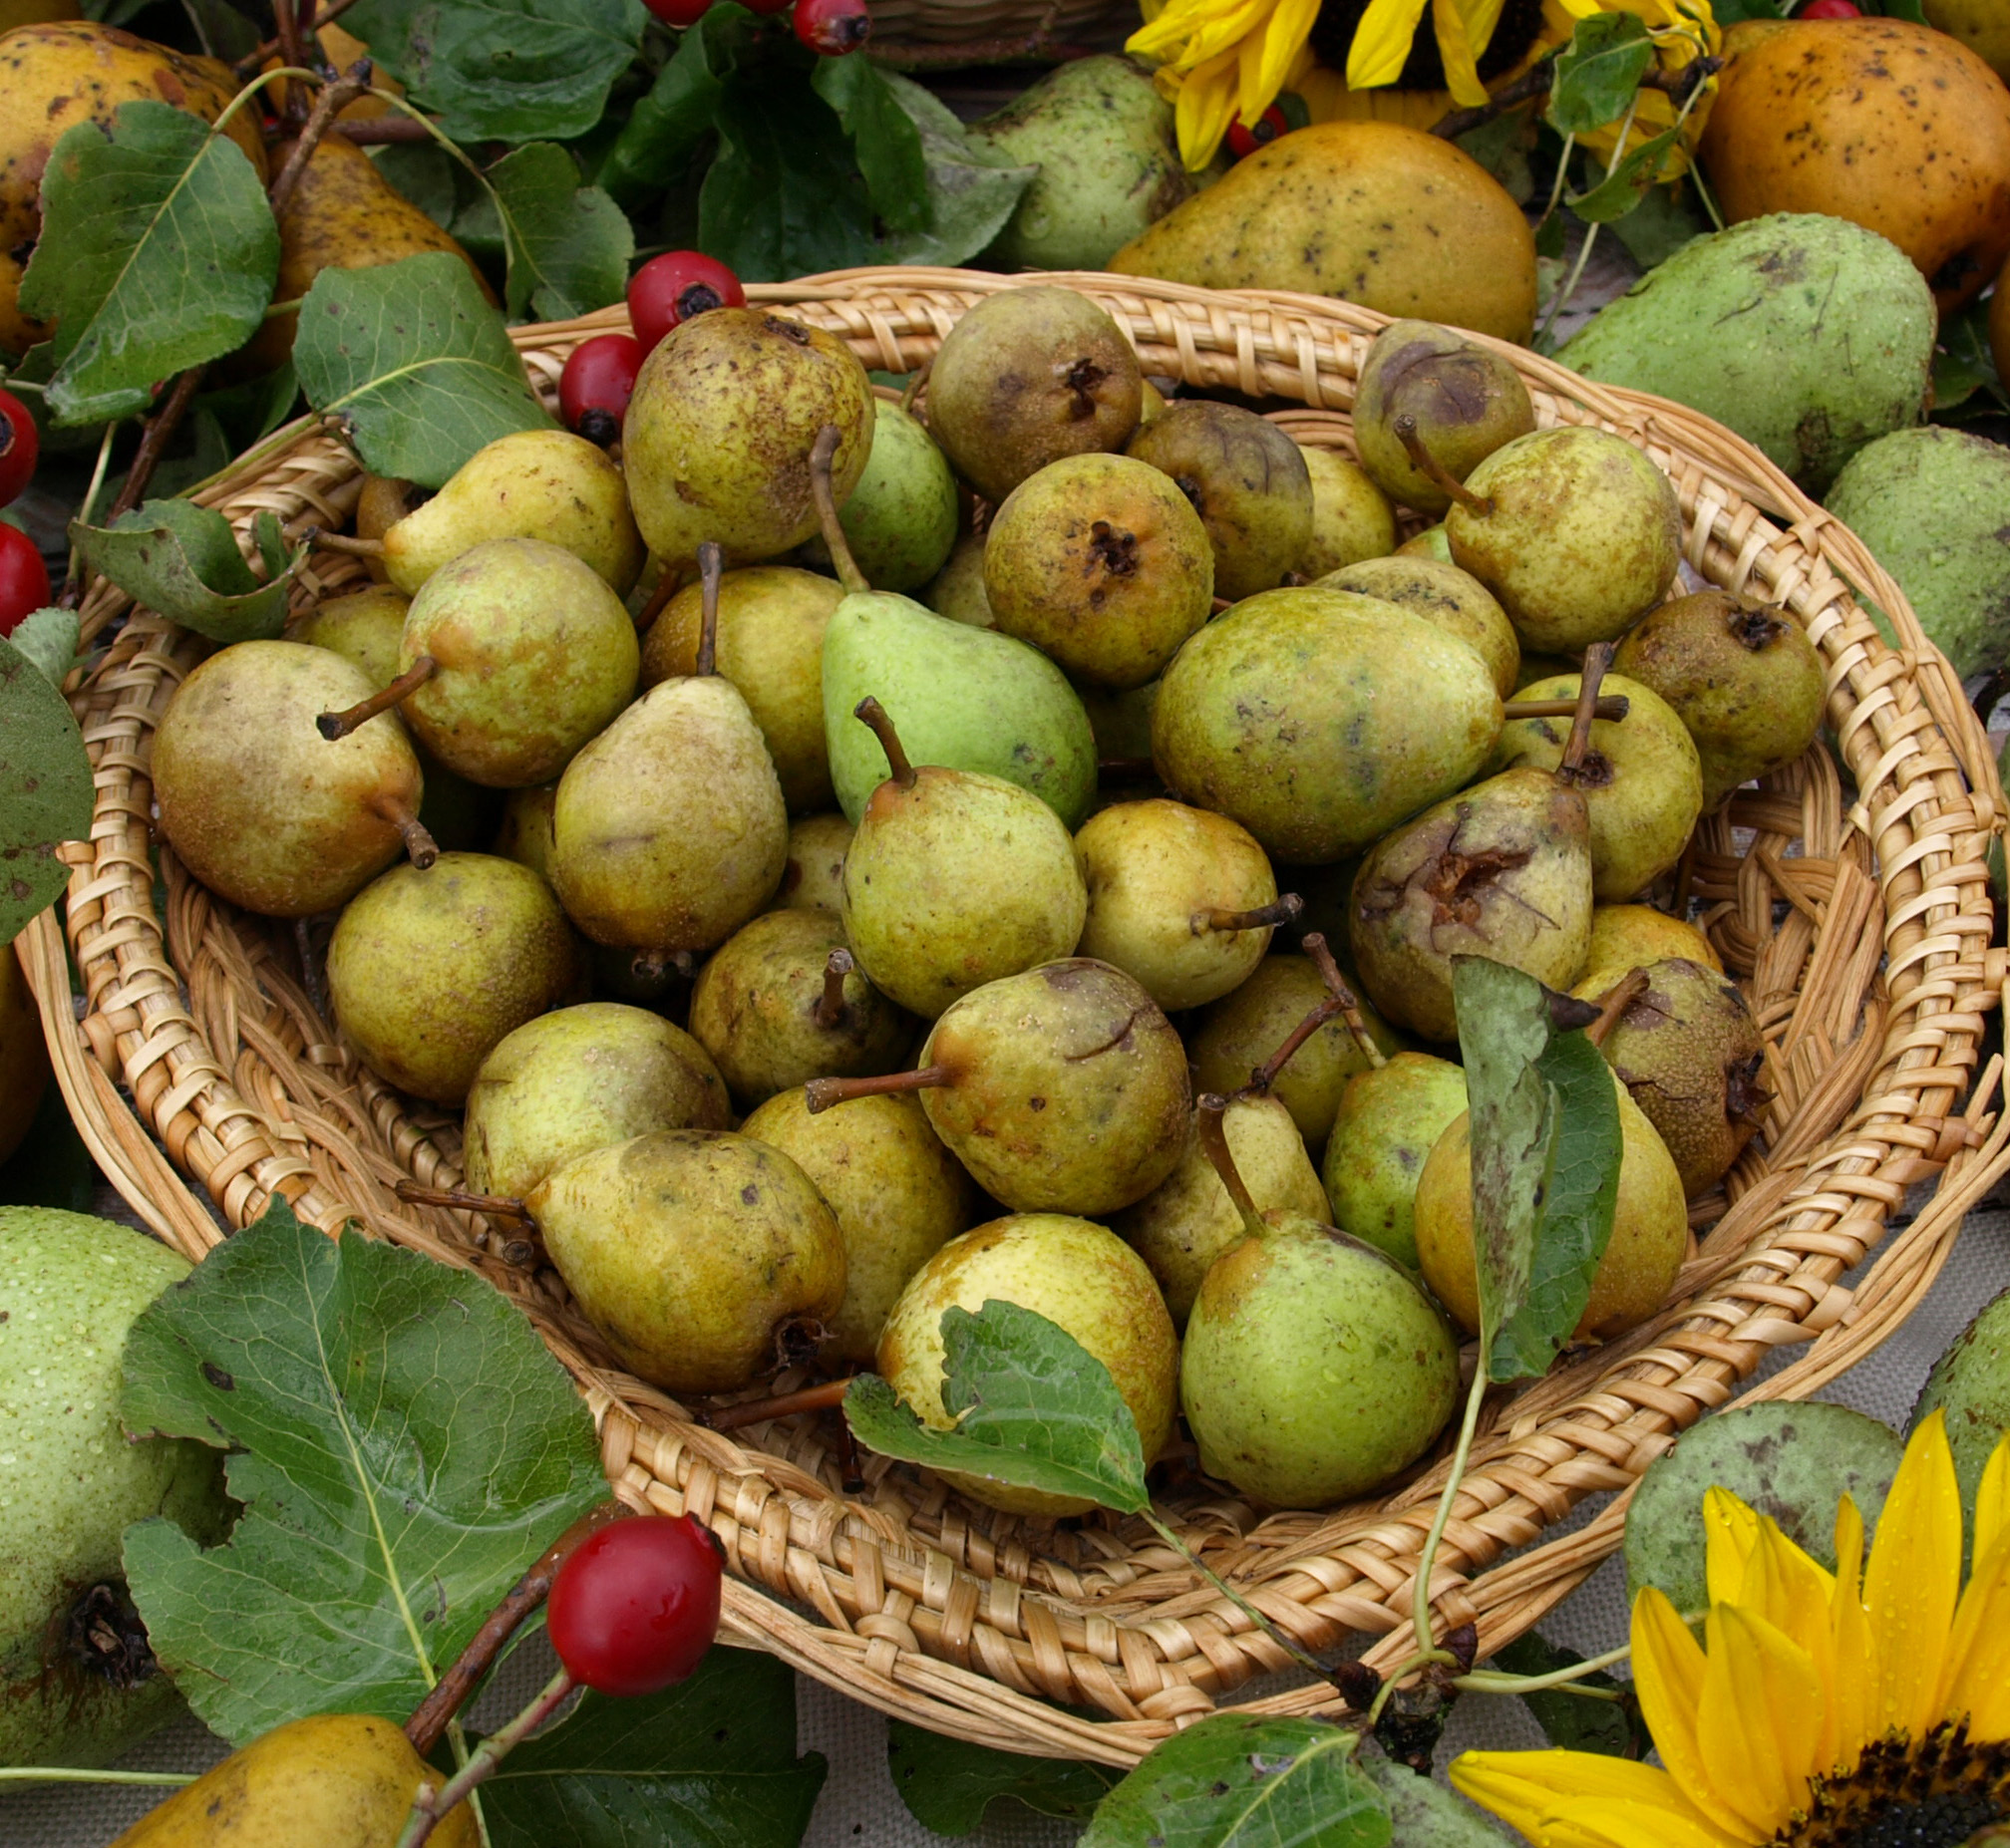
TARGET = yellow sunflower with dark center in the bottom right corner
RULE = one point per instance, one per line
(1822, 1710)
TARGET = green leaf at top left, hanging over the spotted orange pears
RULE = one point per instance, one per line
(158, 254)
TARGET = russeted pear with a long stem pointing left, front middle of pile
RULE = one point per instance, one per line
(1060, 1090)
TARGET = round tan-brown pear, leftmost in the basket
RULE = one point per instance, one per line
(264, 811)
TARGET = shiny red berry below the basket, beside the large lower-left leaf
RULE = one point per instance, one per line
(636, 1608)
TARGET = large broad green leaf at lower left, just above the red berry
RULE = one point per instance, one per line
(403, 1443)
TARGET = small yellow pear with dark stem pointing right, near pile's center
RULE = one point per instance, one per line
(1179, 899)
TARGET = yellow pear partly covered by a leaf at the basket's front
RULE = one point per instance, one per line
(1078, 1277)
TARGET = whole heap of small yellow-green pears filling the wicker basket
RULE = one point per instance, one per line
(857, 855)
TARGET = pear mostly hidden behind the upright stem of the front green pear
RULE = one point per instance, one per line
(1189, 1220)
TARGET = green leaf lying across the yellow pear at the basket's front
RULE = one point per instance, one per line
(1032, 1409)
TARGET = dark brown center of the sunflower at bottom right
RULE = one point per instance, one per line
(1935, 1795)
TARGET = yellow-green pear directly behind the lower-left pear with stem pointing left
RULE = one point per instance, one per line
(580, 1080)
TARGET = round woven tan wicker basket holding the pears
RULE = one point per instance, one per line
(1856, 915)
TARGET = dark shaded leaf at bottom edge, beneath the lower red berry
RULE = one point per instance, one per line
(707, 1765)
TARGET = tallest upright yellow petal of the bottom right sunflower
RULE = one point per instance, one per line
(1913, 1582)
